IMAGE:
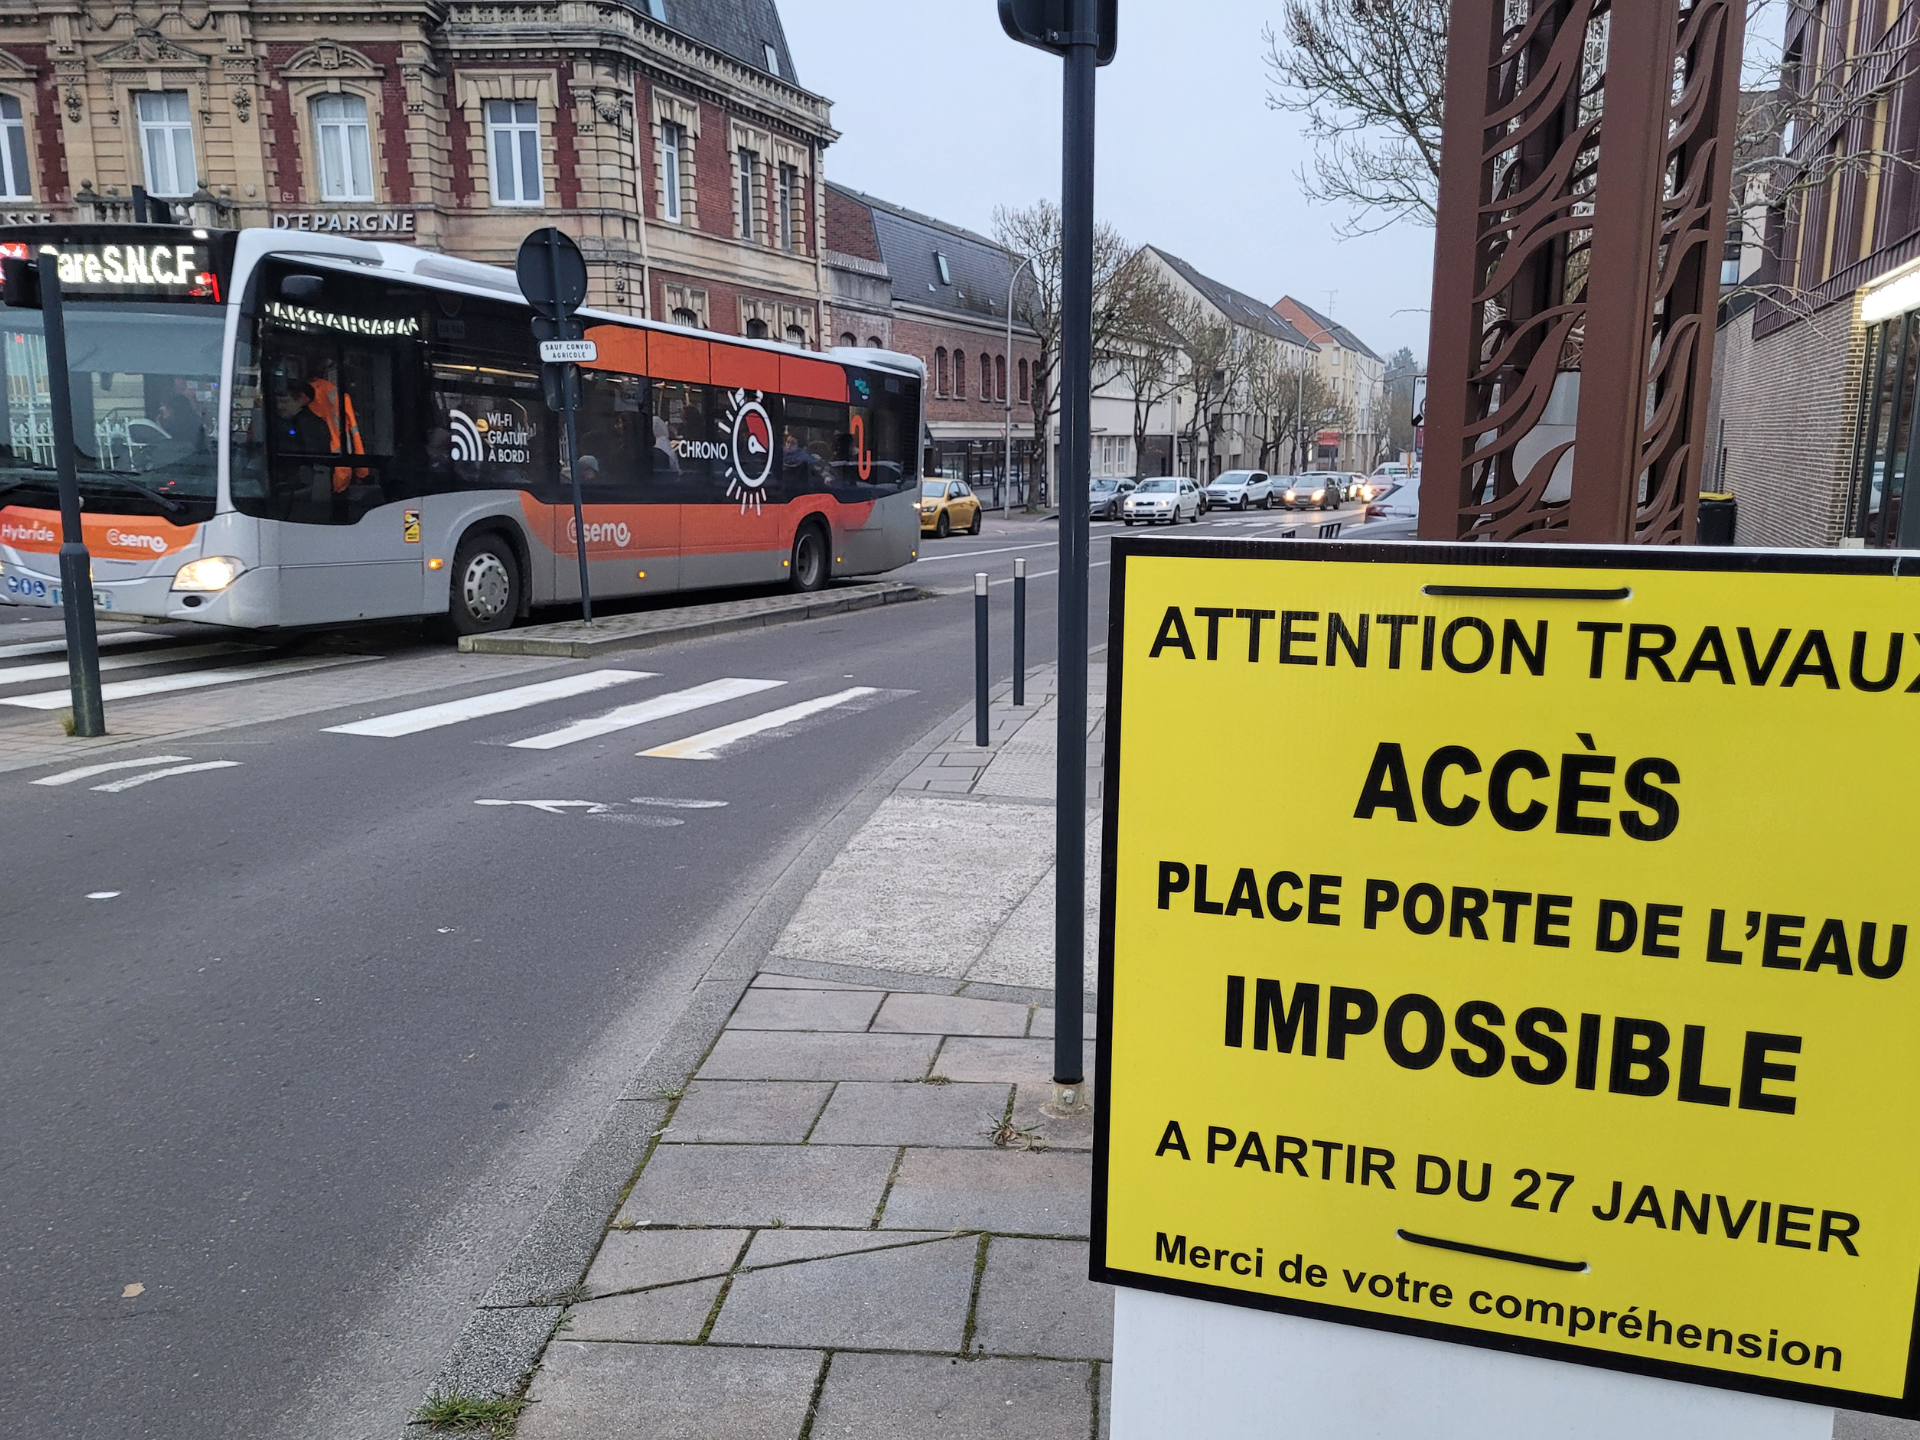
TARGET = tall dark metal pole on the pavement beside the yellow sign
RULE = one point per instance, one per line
(1076, 406)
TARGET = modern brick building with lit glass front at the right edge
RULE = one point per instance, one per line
(1817, 350)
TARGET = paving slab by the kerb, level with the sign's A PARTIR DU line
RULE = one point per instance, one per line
(759, 1186)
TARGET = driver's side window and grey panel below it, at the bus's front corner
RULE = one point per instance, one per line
(333, 450)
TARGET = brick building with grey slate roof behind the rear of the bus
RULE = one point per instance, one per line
(928, 289)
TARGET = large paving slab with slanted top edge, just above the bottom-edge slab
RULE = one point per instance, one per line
(909, 1299)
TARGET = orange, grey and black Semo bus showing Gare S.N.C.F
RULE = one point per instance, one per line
(283, 429)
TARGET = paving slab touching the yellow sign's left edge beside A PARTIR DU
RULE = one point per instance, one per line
(1005, 1191)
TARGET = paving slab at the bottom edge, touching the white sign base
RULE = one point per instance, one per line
(932, 1399)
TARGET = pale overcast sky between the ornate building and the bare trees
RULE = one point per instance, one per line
(944, 114)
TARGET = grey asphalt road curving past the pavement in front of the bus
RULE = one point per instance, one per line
(347, 1003)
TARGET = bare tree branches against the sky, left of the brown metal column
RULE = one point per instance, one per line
(1370, 78)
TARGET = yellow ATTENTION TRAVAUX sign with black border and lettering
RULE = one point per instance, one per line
(1518, 953)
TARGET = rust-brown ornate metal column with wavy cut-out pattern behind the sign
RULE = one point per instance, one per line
(1583, 204)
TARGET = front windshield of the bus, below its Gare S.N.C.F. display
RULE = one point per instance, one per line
(145, 402)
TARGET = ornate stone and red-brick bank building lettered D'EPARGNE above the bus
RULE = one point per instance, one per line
(671, 137)
